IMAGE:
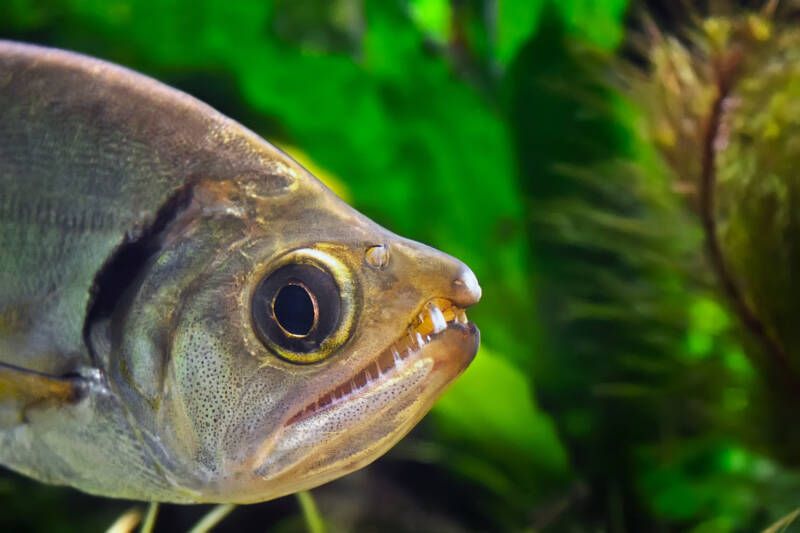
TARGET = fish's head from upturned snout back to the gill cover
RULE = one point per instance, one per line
(299, 340)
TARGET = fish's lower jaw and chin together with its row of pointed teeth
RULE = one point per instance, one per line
(353, 424)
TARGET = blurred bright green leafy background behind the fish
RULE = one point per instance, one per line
(612, 391)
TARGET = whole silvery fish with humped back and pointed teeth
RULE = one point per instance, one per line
(186, 314)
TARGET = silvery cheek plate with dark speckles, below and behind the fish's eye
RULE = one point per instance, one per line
(230, 402)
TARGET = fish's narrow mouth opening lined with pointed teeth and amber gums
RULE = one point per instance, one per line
(436, 316)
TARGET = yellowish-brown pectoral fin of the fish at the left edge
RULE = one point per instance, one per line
(22, 389)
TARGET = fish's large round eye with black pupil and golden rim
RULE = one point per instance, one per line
(299, 310)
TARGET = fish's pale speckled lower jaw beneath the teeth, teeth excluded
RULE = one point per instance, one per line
(351, 434)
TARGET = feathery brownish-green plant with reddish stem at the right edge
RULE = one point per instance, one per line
(722, 110)
